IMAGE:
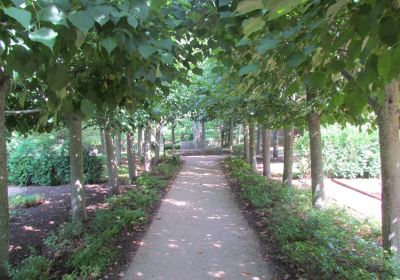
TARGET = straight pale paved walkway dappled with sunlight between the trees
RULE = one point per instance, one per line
(199, 232)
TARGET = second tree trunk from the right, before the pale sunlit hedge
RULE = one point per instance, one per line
(317, 168)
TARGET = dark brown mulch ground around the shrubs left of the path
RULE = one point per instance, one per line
(30, 226)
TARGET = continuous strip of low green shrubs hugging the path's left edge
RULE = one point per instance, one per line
(91, 248)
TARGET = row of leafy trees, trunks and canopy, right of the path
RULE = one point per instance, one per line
(303, 63)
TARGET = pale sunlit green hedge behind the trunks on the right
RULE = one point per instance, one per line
(347, 153)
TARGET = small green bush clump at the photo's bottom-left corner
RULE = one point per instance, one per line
(32, 268)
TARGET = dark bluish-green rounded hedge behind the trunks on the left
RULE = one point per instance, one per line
(43, 160)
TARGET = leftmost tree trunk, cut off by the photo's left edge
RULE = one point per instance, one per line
(4, 214)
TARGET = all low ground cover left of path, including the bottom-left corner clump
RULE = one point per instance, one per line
(90, 248)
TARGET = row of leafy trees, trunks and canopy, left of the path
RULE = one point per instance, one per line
(106, 63)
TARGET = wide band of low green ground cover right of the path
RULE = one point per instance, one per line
(325, 244)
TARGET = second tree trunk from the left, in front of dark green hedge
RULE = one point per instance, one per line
(78, 201)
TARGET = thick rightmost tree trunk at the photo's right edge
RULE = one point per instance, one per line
(388, 123)
